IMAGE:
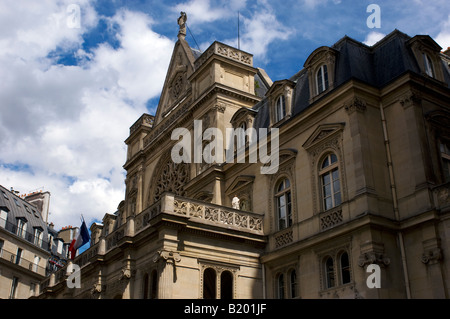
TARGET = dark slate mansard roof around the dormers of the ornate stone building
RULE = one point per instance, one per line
(375, 65)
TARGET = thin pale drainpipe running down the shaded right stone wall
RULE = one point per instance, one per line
(395, 200)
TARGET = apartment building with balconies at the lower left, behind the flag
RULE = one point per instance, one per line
(29, 248)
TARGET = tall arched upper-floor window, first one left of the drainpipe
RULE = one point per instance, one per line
(330, 183)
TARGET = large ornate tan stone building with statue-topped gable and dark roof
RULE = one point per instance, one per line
(362, 179)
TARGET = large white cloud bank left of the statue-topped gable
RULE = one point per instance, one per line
(67, 124)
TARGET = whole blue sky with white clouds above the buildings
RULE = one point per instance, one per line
(76, 74)
